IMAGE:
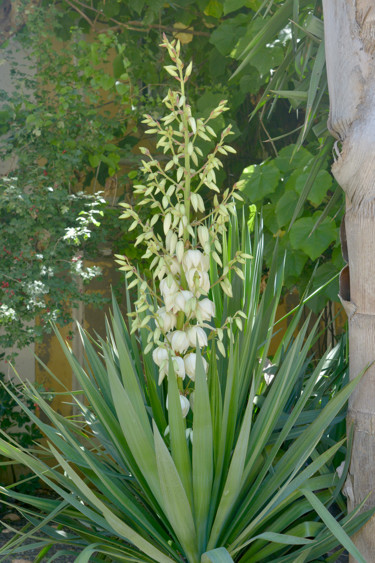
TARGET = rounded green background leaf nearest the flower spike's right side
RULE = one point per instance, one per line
(260, 180)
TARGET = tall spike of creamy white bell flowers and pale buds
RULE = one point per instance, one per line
(177, 310)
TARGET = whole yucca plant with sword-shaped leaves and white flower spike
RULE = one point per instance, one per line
(190, 444)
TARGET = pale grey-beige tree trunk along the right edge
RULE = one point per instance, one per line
(350, 53)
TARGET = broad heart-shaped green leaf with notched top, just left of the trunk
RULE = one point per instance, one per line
(313, 244)
